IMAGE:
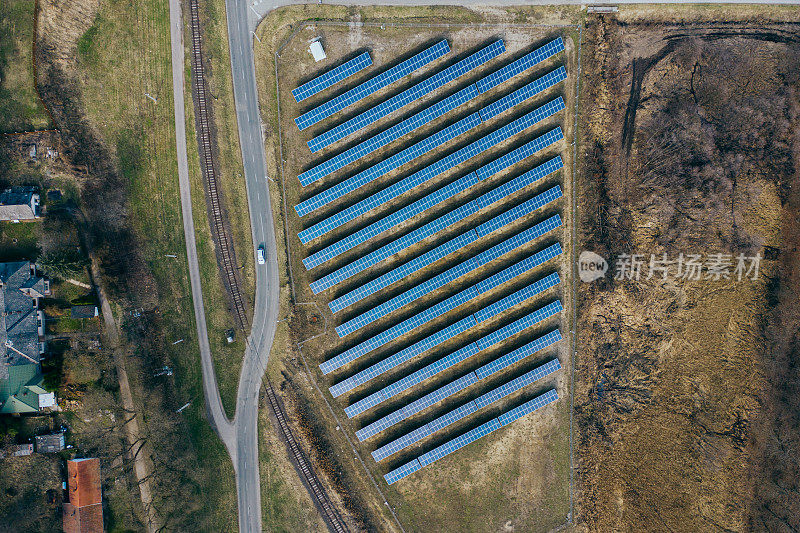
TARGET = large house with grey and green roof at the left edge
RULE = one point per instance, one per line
(21, 334)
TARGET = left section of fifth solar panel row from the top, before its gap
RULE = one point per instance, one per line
(382, 168)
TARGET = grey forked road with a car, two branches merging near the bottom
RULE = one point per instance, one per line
(240, 434)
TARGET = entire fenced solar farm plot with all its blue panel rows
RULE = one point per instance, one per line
(428, 217)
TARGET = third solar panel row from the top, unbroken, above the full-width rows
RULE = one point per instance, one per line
(411, 94)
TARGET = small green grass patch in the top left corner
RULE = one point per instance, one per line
(20, 107)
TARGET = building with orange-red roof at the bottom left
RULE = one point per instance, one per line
(83, 508)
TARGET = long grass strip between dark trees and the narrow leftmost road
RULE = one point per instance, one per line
(123, 52)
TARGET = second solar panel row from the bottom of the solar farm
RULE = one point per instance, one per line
(453, 416)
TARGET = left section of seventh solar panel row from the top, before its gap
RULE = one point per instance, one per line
(389, 222)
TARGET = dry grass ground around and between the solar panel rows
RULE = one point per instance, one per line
(531, 492)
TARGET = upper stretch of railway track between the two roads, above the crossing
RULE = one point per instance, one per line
(218, 229)
